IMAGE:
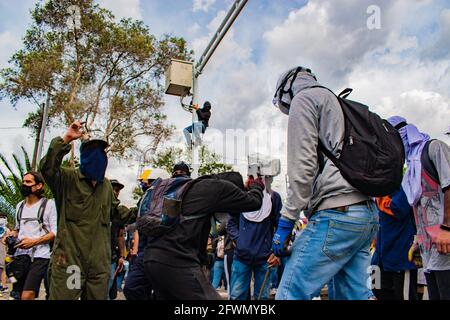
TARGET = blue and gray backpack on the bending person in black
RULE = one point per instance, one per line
(160, 207)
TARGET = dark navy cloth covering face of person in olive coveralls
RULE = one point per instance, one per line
(93, 163)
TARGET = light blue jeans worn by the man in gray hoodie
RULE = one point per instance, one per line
(334, 246)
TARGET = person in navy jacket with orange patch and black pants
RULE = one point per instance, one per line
(395, 239)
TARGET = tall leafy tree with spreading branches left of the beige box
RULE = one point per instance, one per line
(94, 68)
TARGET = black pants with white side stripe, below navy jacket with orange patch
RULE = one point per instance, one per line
(392, 286)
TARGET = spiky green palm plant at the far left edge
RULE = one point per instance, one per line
(11, 182)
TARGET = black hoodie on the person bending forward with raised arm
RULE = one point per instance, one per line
(185, 246)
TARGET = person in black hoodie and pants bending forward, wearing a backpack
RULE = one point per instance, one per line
(173, 262)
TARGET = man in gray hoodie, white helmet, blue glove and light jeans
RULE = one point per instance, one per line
(342, 221)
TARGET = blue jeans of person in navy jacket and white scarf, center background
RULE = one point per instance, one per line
(241, 275)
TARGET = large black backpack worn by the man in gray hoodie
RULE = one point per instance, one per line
(372, 156)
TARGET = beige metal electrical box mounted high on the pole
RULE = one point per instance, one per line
(179, 77)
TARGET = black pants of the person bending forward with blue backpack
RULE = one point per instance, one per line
(177, 283)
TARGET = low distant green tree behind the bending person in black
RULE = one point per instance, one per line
(166, 159)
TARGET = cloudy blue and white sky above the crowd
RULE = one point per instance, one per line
(402, 67)
